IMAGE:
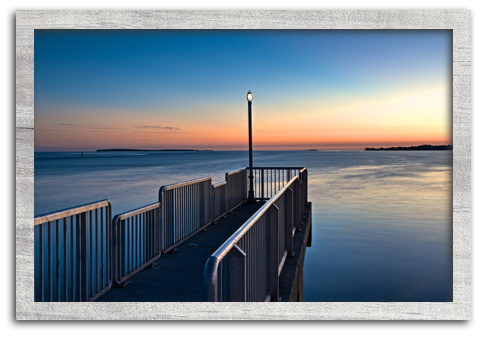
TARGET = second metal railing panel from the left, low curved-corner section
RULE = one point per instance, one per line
(137, 238)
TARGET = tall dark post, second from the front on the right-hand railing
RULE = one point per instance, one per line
(273, 252)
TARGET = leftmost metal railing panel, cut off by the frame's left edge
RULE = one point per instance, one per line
(73, 253)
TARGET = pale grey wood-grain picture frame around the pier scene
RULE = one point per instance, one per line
(459, 21)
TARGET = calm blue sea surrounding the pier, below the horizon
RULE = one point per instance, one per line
(382, 221)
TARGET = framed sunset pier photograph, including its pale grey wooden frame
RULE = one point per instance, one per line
(200, 165)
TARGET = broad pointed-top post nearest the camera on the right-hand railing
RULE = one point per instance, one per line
(237, 277)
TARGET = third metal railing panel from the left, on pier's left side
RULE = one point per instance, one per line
(186, 209)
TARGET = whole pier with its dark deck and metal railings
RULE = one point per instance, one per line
(198, 242)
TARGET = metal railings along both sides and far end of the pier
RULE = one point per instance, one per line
(75, 248)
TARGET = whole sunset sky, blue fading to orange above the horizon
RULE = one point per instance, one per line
(164, 89)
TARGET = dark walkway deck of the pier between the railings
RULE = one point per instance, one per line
(178, 276)
